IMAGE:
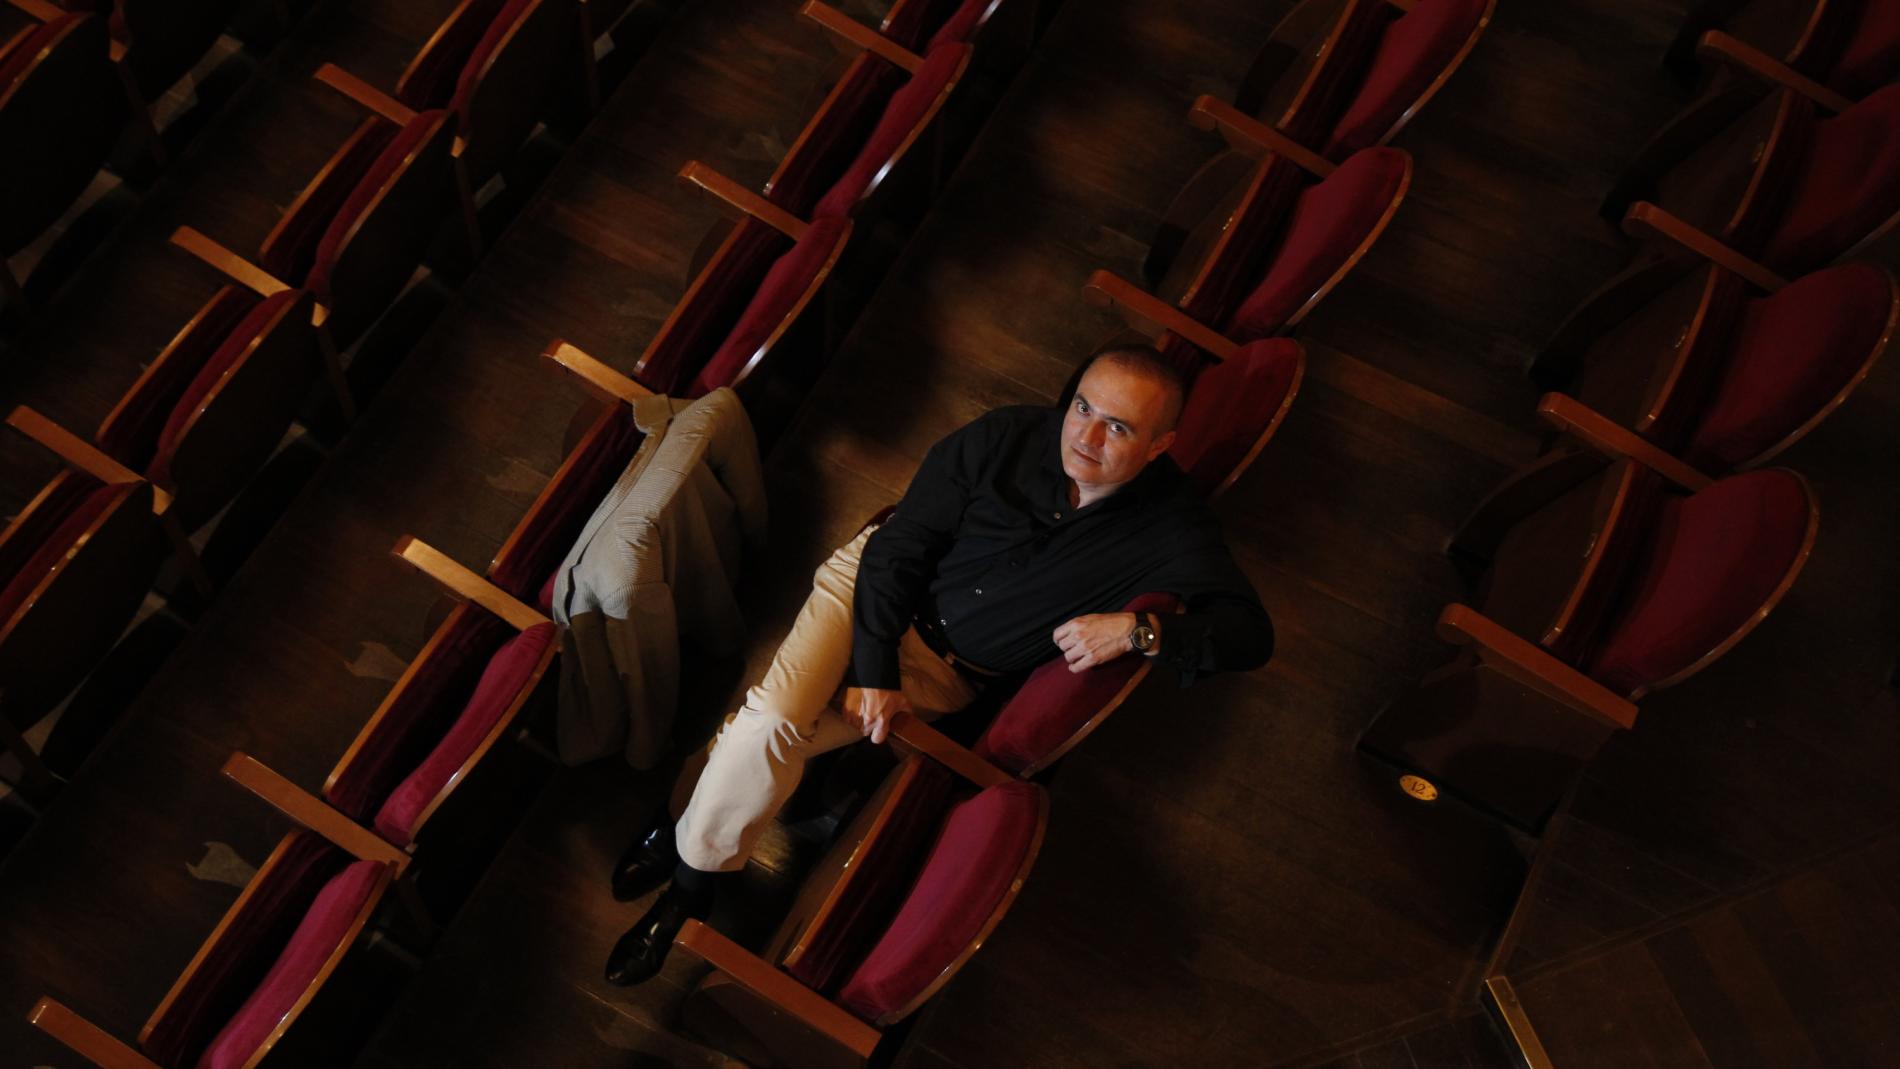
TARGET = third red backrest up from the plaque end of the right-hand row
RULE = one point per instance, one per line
(1844, 187)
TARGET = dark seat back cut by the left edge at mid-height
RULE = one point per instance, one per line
(77, 565)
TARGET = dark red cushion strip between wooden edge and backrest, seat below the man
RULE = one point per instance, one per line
(877, 882)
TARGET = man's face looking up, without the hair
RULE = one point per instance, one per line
(1114, 426)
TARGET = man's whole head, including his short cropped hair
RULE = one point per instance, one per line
(1122, 417)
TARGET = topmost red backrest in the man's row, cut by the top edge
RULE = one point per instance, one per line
(1413, 52)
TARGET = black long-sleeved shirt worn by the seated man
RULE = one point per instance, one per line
(987, 544)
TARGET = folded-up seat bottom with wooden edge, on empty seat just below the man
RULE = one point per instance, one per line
(854, 893)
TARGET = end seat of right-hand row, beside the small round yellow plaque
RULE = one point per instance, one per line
(1597, 593)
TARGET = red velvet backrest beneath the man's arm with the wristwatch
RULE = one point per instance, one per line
(1055, 703)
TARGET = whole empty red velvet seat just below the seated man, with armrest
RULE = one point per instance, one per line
(902, 903)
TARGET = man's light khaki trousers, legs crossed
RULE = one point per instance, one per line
(791, 717)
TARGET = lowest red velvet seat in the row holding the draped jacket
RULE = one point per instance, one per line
(271, 956)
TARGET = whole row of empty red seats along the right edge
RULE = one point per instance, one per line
(1650, 538)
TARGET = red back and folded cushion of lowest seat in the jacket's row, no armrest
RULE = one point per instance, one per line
(237, 971)
